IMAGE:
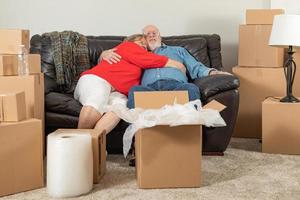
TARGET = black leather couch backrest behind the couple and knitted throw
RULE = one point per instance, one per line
(205, 48)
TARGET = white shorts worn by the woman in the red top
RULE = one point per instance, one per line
(91, 90)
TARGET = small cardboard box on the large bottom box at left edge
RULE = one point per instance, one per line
(12, 106)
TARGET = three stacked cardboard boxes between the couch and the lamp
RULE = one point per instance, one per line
(260, 70)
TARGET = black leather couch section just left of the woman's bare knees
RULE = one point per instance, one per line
(62, 103)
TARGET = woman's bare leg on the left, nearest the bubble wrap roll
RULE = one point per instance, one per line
(88, 117)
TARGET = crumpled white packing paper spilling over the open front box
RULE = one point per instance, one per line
(173, 115)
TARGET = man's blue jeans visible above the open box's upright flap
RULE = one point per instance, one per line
(165, 85)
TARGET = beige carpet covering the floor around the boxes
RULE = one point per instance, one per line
(243, 173)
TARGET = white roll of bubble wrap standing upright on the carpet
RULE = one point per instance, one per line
(69, 164)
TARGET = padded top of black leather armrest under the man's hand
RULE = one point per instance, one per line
(212, 85)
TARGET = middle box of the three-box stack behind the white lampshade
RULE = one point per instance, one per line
(254, 49)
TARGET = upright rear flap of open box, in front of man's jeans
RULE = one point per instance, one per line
(158, 99)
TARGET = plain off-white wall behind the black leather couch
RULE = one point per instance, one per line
(123, 17)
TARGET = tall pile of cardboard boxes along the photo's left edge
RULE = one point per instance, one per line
(21, 117)
